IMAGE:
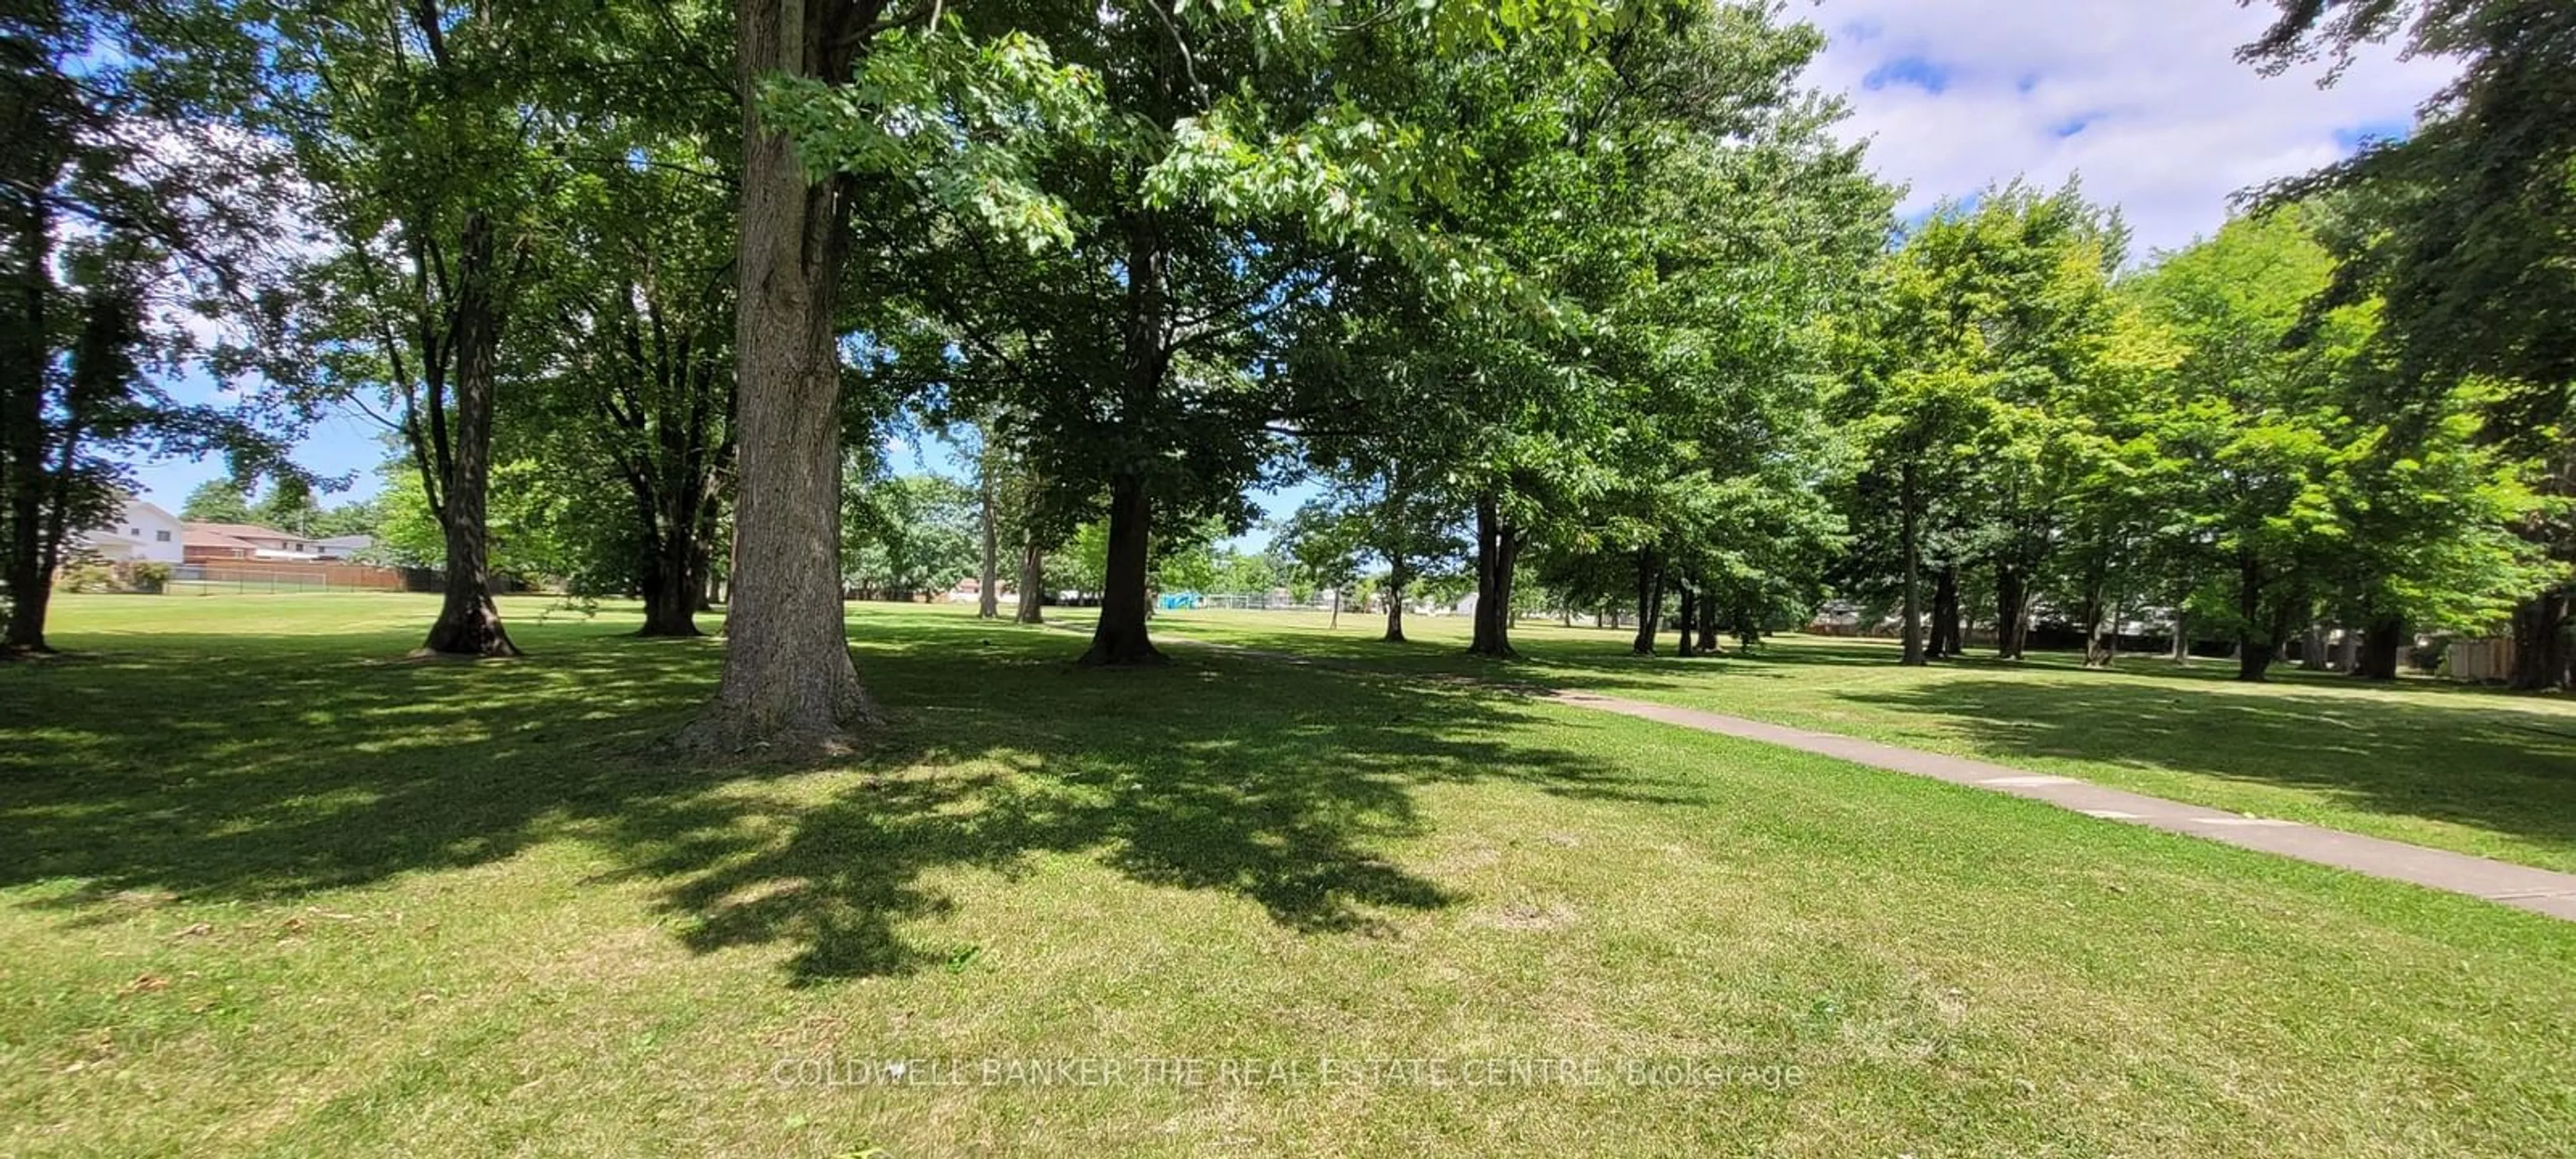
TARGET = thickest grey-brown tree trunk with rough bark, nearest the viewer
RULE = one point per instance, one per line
(787, 661)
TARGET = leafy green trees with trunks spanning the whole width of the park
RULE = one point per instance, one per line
(1575, 297)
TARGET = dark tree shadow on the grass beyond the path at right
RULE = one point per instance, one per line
(2505, 771)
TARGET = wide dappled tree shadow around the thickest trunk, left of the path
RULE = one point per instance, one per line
(290, 769)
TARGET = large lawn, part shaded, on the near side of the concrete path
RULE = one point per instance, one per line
(272, 890)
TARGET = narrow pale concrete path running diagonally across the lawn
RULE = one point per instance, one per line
(2521, 887)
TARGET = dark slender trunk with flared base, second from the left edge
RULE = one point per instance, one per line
(468, 622)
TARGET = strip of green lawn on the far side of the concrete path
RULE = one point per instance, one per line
(2423, 761)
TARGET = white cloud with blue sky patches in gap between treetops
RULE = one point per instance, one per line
(2145, 99)
